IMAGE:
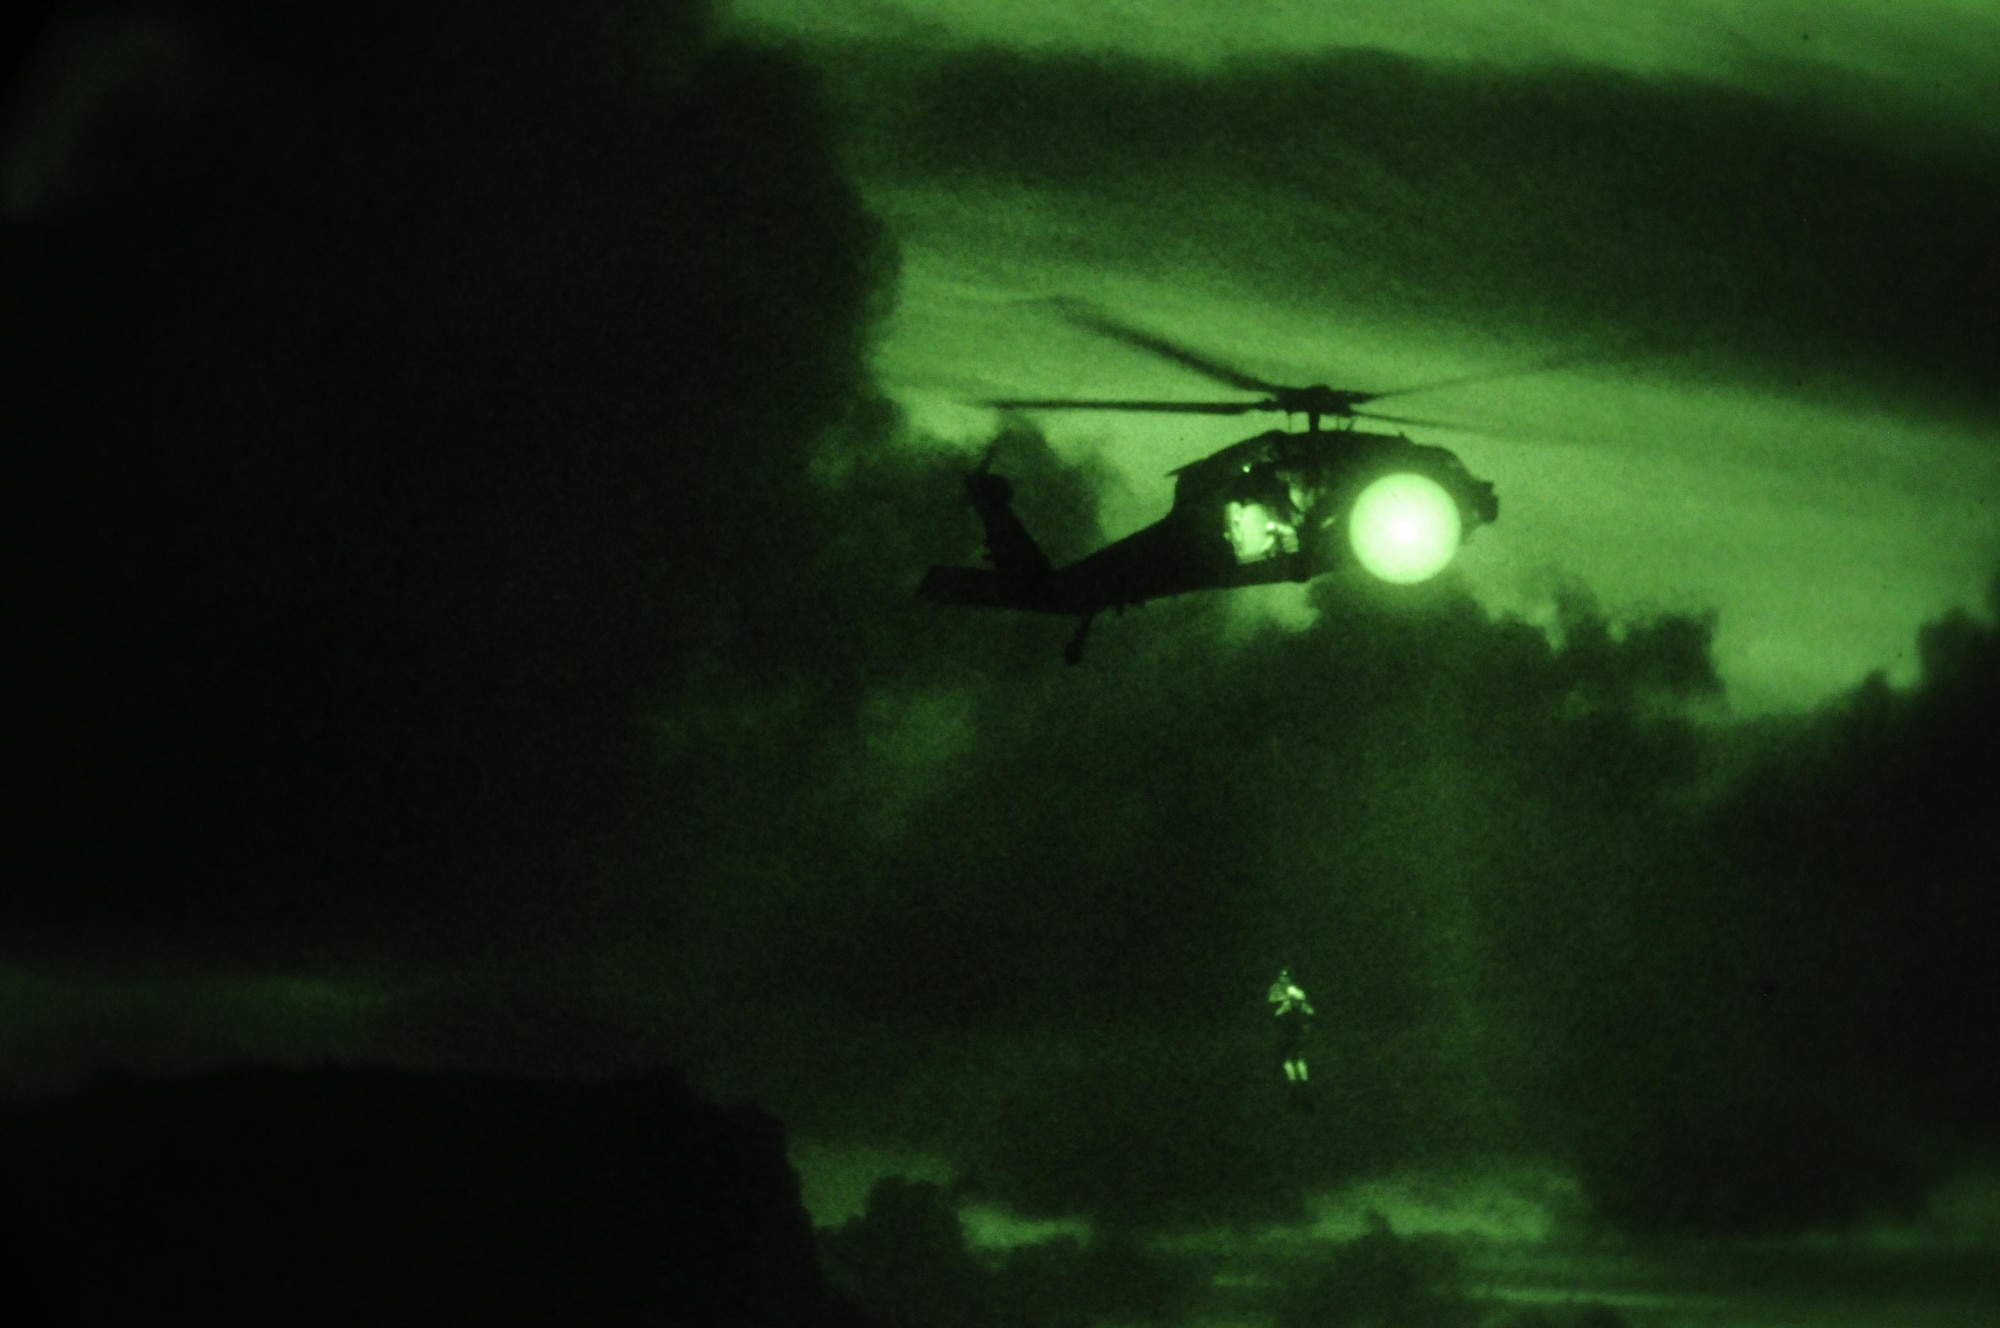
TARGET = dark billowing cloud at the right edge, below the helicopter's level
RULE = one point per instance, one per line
(1811, 985)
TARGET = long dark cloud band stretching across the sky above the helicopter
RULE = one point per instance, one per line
(1799, 235)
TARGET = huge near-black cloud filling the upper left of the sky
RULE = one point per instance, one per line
(405, 405)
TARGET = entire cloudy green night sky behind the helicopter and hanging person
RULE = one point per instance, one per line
(485, 455)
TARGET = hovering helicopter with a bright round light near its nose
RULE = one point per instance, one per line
(1279, 507)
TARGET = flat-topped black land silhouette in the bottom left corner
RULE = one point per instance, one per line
(379, 1197)
